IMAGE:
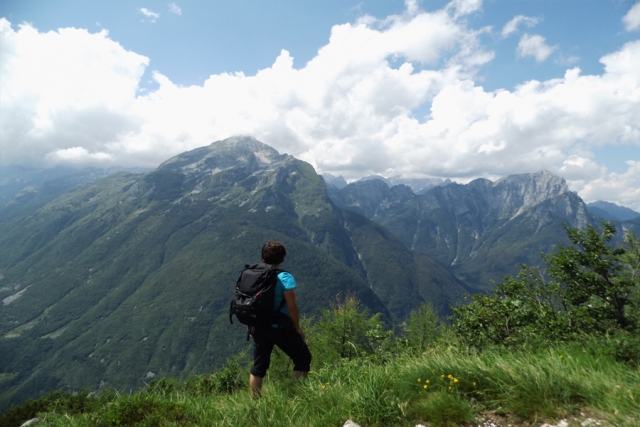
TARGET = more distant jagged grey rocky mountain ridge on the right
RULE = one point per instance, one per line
(483, 229)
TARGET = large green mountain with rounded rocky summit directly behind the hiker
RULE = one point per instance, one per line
(130, 277)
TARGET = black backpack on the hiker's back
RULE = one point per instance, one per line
(255, 293)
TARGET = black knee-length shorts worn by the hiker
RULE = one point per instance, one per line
(287, 339)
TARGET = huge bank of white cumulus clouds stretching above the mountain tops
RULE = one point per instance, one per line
(72, 96)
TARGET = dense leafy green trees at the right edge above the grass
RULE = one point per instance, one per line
(588, 288)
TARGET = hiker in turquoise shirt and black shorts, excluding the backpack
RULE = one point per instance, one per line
(286, 332)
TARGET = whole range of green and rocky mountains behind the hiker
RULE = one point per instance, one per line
(118, 280)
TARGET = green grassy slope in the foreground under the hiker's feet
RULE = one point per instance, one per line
(442, 387)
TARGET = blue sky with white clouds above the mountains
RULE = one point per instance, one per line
(462, 89)
